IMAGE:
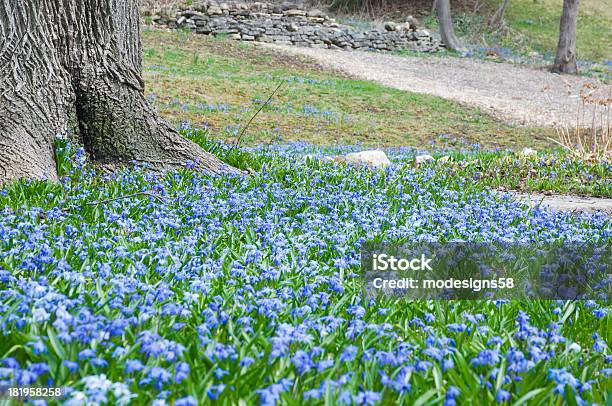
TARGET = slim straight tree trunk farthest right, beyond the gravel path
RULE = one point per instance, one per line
(565, 61)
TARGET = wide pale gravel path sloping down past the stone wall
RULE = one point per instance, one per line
(513, 93)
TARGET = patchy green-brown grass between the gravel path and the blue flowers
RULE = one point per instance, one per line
(187, 73)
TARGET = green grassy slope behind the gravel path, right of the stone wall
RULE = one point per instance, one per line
(530, 33)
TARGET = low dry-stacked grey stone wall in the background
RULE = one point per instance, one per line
(289, 24)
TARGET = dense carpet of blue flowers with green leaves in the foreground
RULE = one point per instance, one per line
(187, 288)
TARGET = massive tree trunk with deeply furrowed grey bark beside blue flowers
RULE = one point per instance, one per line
(74, 67)
